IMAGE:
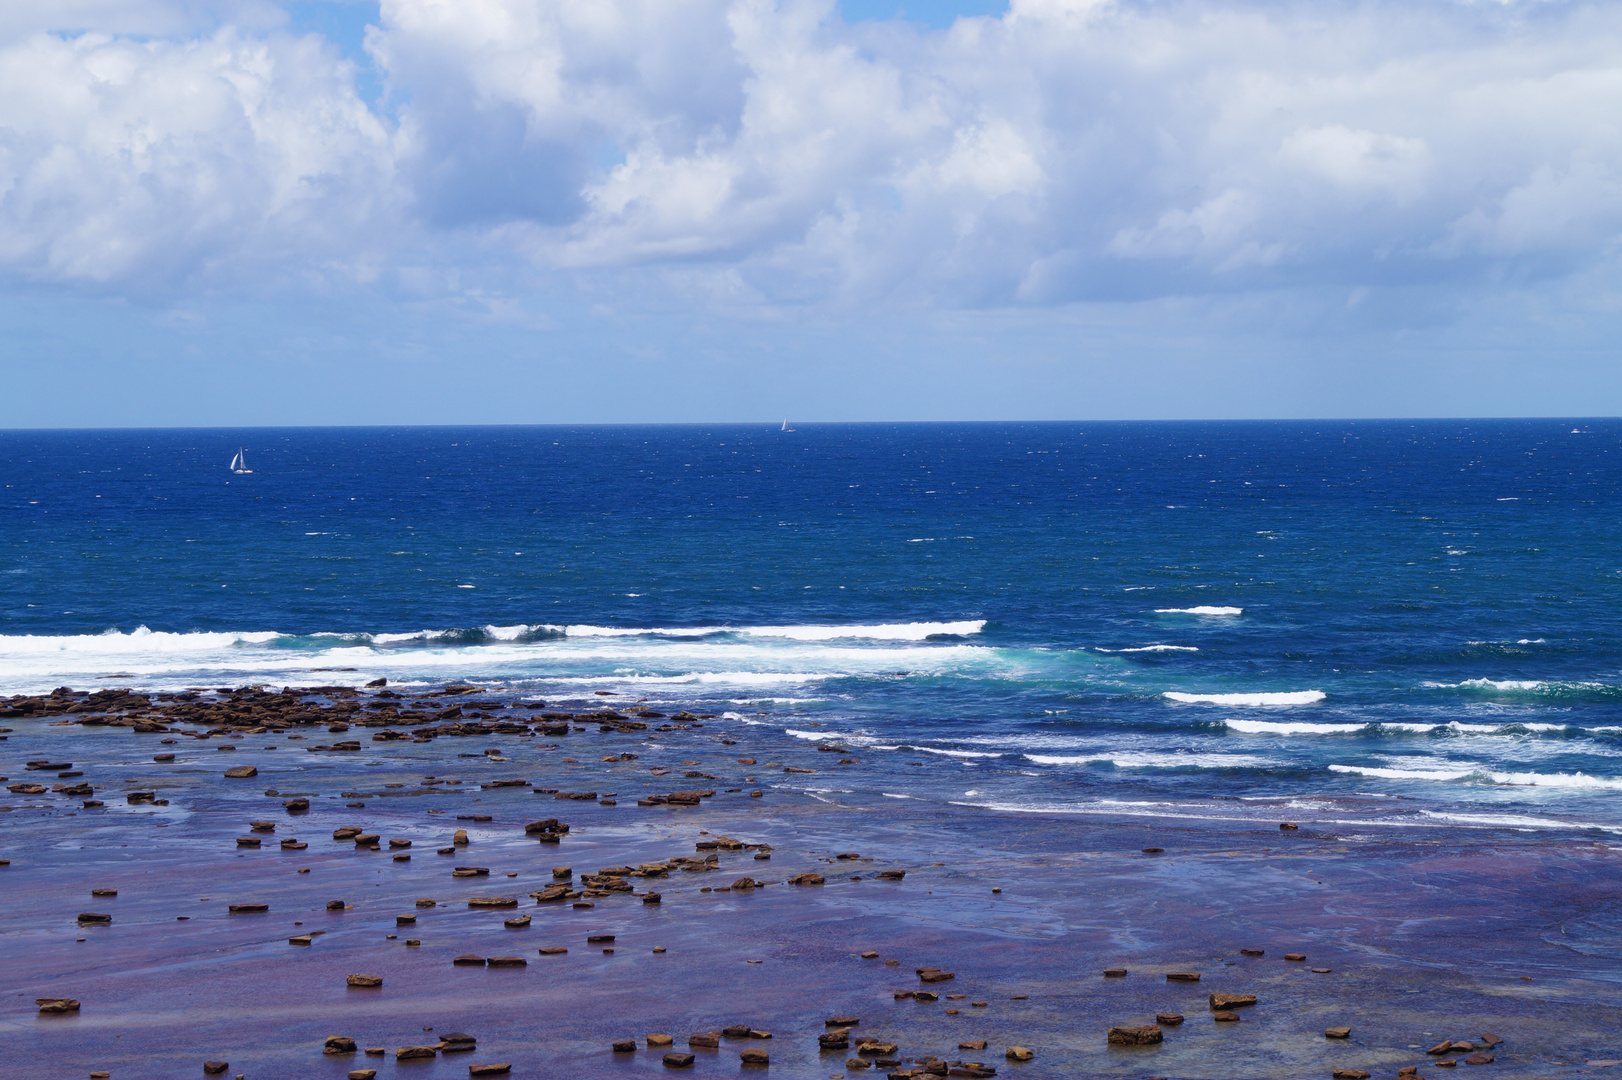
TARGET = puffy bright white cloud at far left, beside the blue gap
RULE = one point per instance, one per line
(148, 163)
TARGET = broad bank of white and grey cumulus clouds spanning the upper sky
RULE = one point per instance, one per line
(1071, 150)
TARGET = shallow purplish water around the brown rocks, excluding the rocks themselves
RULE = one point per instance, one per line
(1427, 935)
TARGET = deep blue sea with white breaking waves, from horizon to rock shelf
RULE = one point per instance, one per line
(1368, 627)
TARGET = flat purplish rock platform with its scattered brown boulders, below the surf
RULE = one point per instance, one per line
(328, 883)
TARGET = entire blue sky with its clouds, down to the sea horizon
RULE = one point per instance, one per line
(414, 212)
